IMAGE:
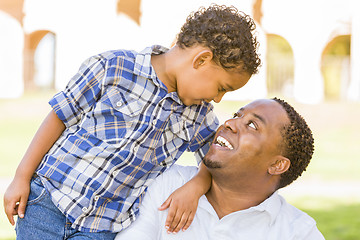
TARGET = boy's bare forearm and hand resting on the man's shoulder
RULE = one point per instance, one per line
(183, 202)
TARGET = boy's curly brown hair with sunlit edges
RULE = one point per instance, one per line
(227, 32)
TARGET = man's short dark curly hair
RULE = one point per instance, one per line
(297, 145)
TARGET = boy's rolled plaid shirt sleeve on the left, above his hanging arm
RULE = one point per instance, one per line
(81, 93)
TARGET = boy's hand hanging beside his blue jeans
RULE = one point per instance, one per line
(15, 199)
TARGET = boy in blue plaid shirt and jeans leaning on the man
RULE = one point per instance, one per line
(122, 120)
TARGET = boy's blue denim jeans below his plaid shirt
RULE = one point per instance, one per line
(44, 221)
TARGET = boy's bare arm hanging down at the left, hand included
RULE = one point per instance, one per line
(16, 195)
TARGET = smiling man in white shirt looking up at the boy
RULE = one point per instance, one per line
(266, 146)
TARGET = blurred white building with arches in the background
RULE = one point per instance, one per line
(310, 49)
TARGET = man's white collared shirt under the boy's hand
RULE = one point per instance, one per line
(273, 219)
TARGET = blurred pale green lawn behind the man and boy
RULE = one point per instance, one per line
(329, 190)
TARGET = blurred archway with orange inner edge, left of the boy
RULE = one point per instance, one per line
(39, 60)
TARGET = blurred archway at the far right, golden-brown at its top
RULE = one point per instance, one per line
(335, 67)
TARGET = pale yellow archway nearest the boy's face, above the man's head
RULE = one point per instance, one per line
(280, 66)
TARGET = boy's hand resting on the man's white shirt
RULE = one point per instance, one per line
(182, 205)
